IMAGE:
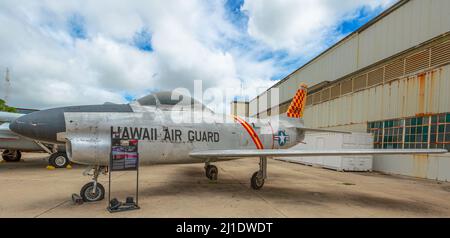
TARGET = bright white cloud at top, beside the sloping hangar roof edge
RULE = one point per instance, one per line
(301, 26)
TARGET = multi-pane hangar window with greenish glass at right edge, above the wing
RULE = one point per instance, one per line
(412, 133)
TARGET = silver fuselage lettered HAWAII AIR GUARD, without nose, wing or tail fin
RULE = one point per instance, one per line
(165, 136)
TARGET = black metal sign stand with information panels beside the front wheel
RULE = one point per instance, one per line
(124, 157)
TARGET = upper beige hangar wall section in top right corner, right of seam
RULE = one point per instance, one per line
(415, 22)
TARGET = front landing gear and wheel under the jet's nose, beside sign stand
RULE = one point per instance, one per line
(93, 191)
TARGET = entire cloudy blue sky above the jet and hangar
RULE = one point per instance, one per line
(87, 52)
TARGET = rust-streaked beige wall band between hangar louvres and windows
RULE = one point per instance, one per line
(422, 93)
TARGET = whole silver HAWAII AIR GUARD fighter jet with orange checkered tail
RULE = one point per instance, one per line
(163, 126)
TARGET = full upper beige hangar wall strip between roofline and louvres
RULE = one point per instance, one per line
(413, 23)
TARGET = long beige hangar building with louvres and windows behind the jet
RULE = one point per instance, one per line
(391, 77)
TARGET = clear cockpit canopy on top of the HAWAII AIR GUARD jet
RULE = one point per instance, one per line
(169, 100)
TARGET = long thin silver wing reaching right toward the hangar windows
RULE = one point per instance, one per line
(300, 153)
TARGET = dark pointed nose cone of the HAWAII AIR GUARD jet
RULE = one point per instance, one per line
(41, 125)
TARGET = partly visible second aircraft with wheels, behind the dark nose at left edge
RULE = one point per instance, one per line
(13, 145)
